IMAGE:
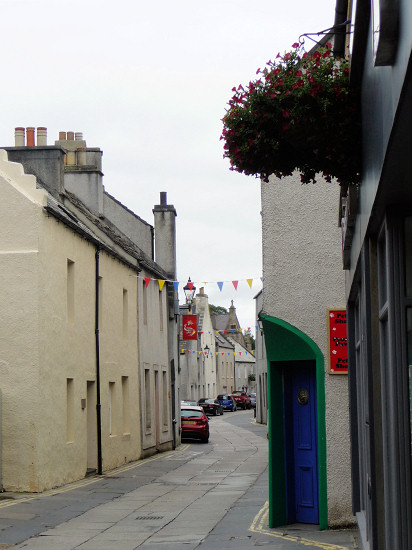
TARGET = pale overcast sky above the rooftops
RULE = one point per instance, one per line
(148, 82)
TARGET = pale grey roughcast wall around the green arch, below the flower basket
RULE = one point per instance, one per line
(302, 279)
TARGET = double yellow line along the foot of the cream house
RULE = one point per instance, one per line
(88, 481)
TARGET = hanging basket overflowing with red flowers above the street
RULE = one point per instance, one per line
(299, 115)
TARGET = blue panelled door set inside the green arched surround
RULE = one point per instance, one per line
(301, 442)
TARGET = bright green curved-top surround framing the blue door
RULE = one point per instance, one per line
(285, 342)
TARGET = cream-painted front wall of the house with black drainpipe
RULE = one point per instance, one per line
(42, 347)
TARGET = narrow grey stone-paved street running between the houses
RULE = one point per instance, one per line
(207, 496)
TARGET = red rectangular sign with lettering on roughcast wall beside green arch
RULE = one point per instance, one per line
(338, 342)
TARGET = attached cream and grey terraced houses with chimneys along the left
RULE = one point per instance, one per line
(87, 353)
